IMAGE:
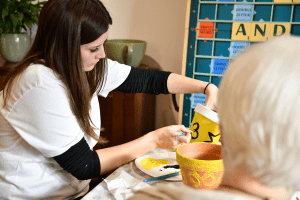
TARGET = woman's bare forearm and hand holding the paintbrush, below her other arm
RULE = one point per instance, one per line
(165, 138)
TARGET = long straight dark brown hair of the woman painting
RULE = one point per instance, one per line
(63, 26)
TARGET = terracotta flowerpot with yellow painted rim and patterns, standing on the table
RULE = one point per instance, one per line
(201, 165)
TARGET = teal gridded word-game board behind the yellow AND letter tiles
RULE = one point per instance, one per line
(208, 58)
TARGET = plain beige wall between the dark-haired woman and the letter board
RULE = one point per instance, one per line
(161, 24)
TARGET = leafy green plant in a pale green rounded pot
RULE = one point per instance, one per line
(16, 18)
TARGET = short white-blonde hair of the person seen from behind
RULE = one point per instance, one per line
(259, 109)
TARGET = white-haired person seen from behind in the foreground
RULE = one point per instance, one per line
(259, 111)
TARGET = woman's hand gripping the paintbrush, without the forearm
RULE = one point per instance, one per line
(165, 138)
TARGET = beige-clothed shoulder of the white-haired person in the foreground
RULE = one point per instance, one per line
(183, 192)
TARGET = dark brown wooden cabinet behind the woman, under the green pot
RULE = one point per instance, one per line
(124, 116)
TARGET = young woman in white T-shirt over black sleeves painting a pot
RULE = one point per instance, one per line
(49, 110)
